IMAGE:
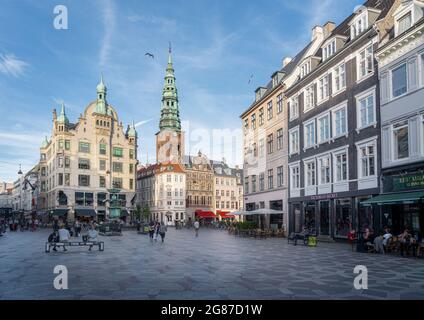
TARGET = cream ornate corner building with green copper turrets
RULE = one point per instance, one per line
(83, 162)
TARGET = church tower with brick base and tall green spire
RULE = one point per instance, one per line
(170, 138)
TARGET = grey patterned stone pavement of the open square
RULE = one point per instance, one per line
(215, 265)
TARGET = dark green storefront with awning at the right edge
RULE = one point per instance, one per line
(402, 203)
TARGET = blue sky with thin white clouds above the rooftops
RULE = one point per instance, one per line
(216, 45)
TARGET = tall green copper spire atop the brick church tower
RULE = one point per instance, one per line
(170, 114)
